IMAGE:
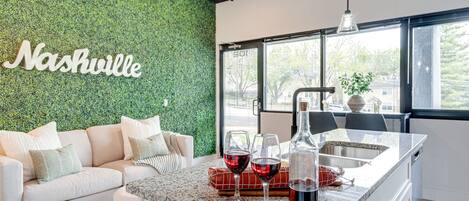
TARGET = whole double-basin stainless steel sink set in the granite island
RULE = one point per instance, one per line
(347, 154)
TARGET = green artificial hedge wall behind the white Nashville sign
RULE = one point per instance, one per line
(173, 40)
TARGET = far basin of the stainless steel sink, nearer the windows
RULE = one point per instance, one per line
(352, 150)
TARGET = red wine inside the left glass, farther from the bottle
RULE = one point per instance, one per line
(237, 160)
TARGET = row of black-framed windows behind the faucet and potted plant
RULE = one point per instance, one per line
(435, 72)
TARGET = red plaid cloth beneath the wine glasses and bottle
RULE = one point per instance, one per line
(222, 179)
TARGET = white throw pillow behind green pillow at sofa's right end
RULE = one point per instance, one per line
(138, 129)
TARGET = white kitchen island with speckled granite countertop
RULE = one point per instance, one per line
(383, 176)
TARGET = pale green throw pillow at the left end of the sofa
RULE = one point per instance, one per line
(55, 163)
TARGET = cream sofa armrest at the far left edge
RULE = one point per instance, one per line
(11, 179)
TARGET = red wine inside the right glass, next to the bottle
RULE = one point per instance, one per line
(265, 168)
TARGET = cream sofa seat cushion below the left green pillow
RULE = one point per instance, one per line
(87, 182)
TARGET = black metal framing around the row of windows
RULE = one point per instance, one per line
(406, 25)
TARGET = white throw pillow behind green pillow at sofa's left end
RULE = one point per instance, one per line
(16, 145)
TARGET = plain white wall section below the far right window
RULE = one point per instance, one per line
(445, 158)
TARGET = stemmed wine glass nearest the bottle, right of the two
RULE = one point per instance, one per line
(265, 161)
